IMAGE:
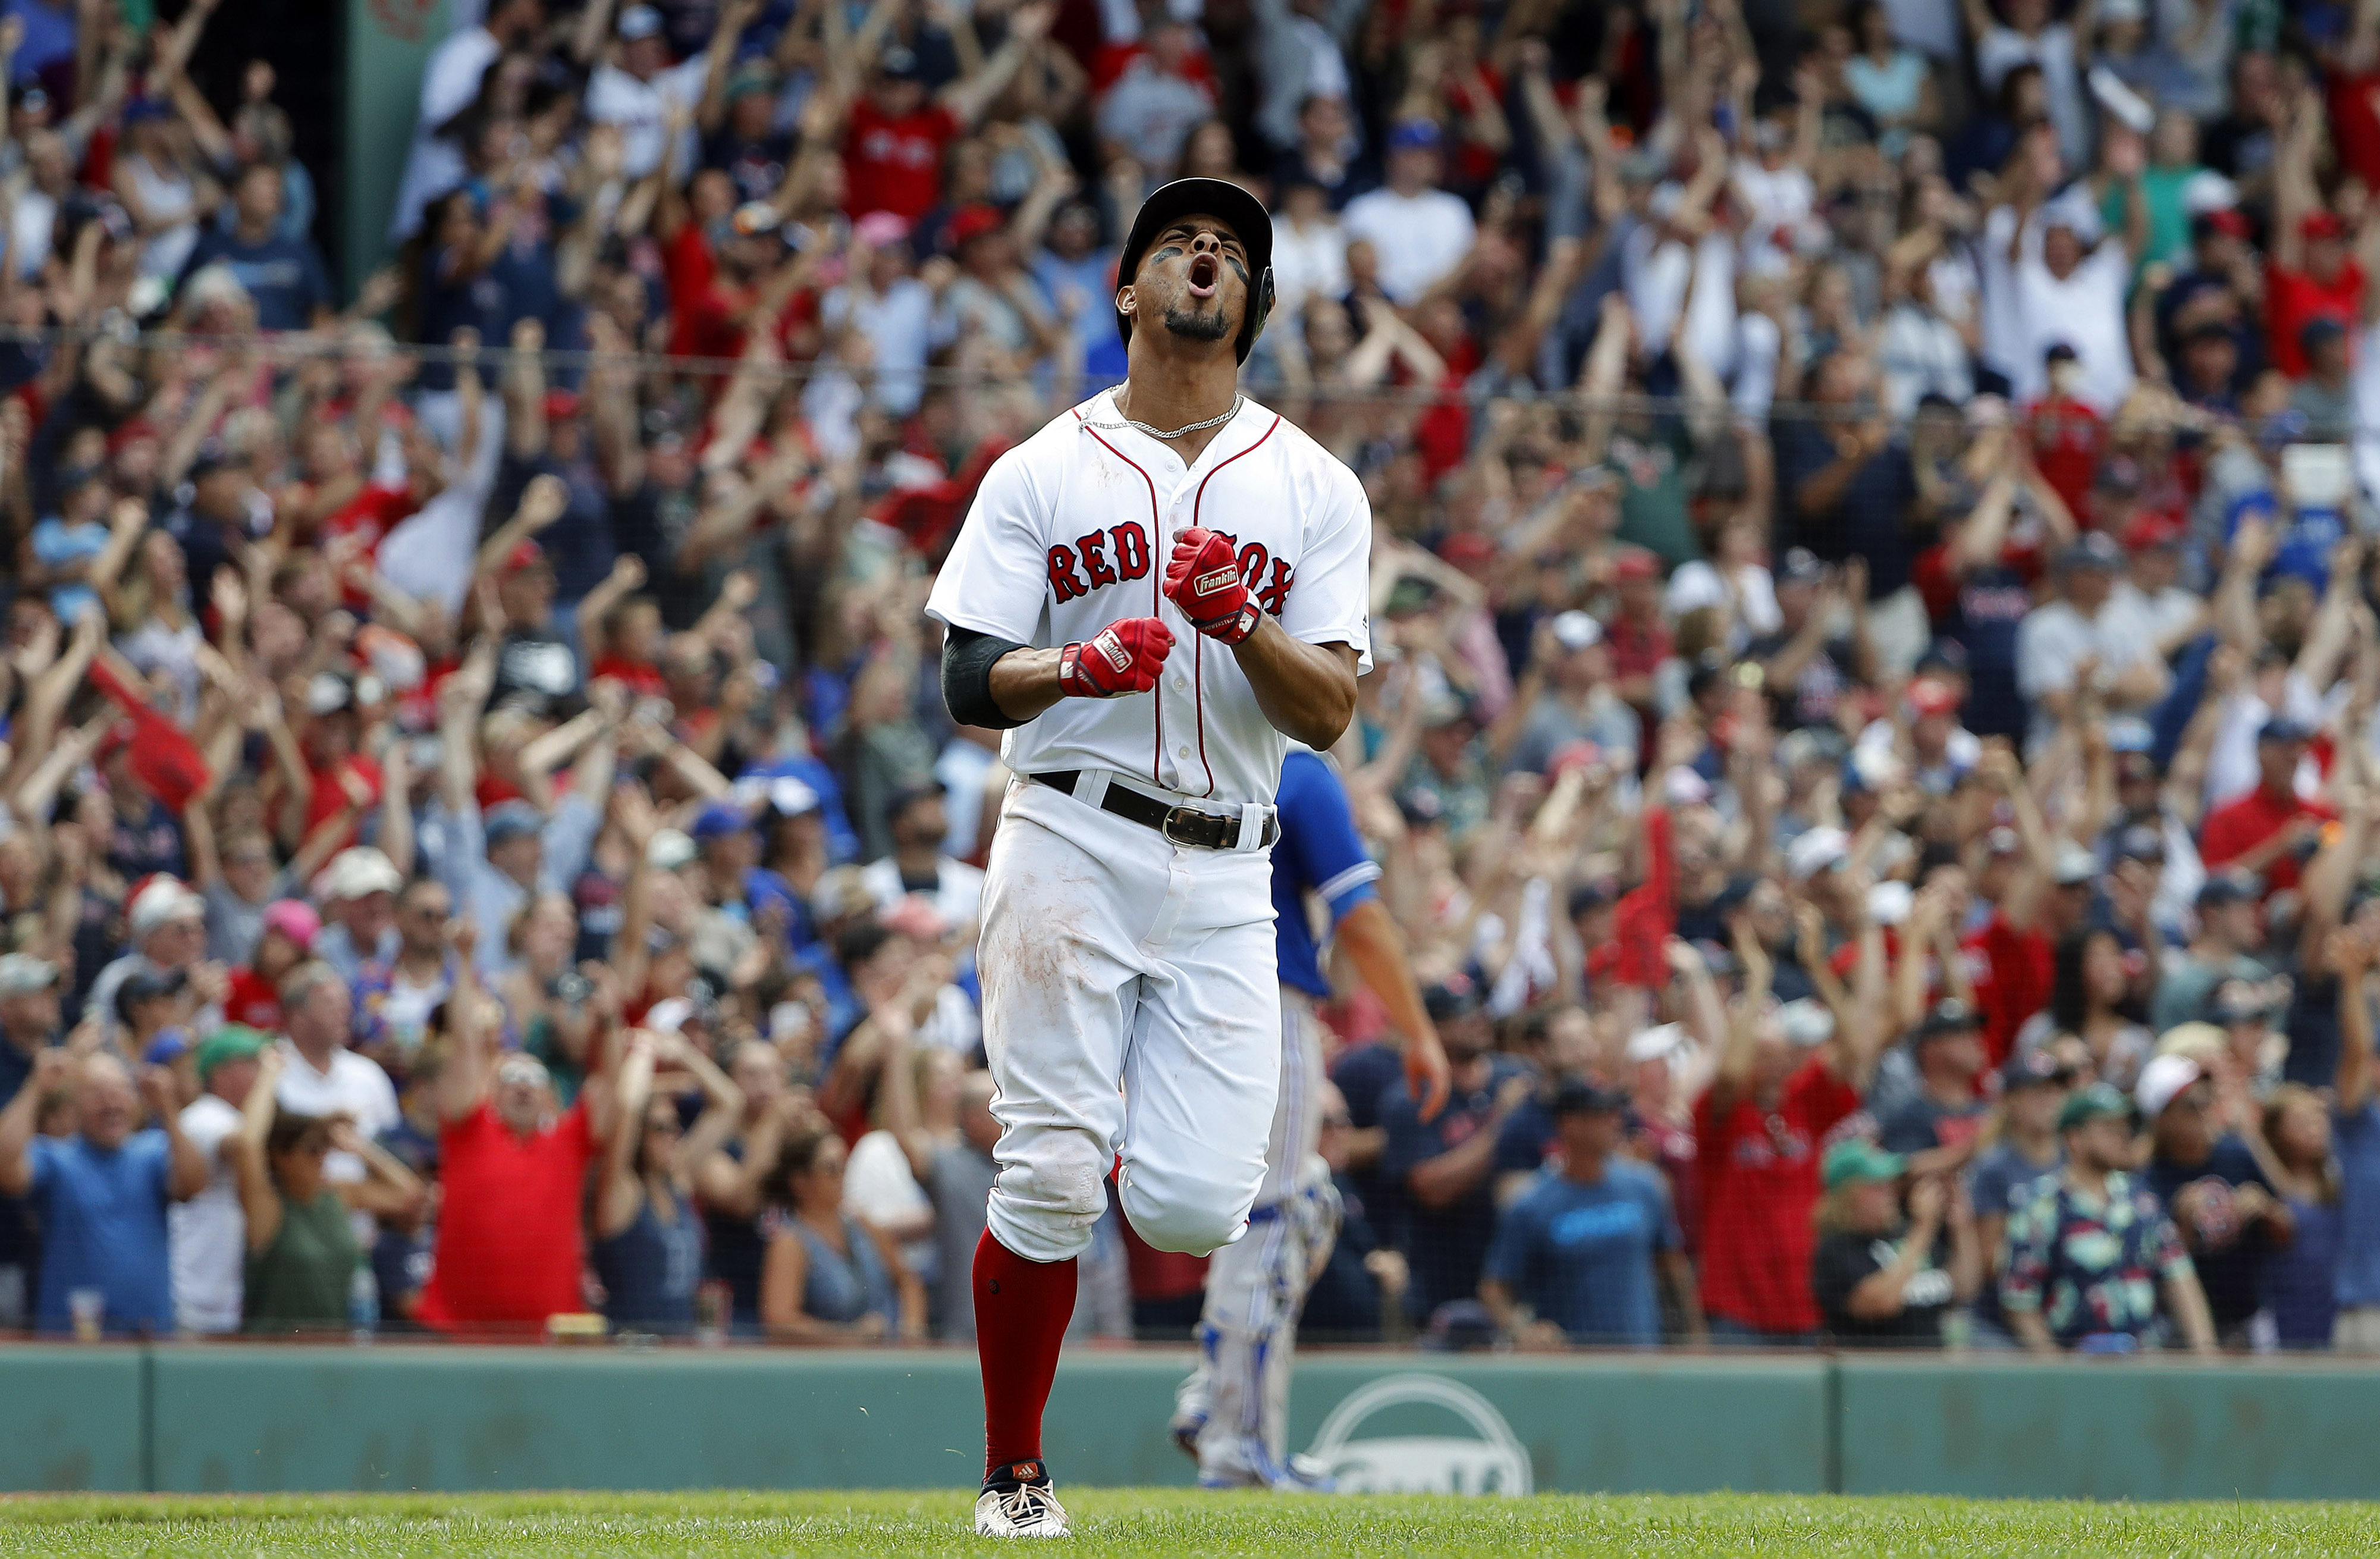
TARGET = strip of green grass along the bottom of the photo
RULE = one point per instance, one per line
(1160, 1522)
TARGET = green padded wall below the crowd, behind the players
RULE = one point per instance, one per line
(258, 1417)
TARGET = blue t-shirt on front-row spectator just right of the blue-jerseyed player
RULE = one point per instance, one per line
(1582, 1256)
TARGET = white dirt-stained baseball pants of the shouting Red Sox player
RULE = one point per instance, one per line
(1129, 1010)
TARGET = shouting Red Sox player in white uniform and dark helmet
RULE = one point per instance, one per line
(1151, 596)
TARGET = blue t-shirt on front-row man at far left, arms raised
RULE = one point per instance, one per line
(104, 1227)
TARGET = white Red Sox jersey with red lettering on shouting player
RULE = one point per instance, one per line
(1072, 532)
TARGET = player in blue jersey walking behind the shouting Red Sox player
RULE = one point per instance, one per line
(1234, 1410)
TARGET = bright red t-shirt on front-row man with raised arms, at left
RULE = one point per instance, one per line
(508, 1227)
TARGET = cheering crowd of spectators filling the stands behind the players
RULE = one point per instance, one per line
(1874, 601)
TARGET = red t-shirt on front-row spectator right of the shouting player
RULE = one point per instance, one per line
(1760, 1189)
